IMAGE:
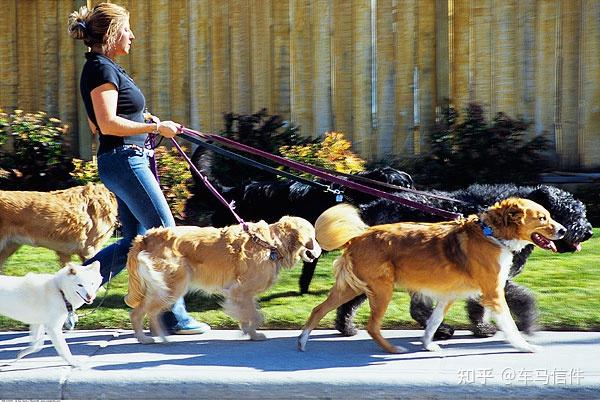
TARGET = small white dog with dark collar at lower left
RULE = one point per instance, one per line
(45, 300)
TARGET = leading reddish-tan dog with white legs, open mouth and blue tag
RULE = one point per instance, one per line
(446, 261)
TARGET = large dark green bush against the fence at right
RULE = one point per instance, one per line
(472, 150)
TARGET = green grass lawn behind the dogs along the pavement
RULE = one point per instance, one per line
(566, 286)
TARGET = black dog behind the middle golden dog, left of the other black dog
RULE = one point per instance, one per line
(270, 200)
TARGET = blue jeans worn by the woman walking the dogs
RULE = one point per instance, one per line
(126, 172)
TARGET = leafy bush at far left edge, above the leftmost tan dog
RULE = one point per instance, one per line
(34, 151)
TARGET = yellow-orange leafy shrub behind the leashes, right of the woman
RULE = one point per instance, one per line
(334, 153)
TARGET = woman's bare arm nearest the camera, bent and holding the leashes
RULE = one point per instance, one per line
(104, 100)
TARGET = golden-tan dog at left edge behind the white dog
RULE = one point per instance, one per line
(78, 220)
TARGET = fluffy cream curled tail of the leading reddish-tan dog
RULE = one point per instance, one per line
(337, 225)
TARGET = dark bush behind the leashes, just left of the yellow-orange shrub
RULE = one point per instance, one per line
(258, 130)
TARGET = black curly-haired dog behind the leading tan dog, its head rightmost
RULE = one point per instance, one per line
(563, 207)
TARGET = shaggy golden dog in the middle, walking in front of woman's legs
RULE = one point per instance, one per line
(165, 263)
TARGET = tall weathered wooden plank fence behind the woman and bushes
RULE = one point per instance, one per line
(376, 70)
